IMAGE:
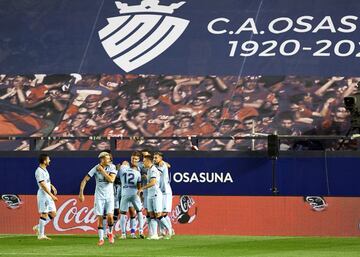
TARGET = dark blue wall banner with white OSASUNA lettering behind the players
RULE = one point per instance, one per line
(230, 176)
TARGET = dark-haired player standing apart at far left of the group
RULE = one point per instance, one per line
(46, 196)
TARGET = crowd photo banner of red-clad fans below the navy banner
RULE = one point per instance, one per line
(141, 106)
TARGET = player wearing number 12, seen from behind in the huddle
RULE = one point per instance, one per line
(130, 182)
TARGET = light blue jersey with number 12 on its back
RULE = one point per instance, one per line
(130, 178)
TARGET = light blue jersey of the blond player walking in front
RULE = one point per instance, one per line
(103, 189)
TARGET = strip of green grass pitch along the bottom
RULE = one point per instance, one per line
(182, 246)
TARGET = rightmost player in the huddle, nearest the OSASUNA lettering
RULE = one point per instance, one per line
(165, 187)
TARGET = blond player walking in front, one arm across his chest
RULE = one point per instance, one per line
(105, 173)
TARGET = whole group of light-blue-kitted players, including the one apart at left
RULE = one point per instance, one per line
(122, 189)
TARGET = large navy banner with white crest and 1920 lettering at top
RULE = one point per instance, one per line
(181, 37)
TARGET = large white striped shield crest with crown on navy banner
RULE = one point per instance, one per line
(141, 32)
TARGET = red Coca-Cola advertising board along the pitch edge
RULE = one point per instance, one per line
(207, 215)
